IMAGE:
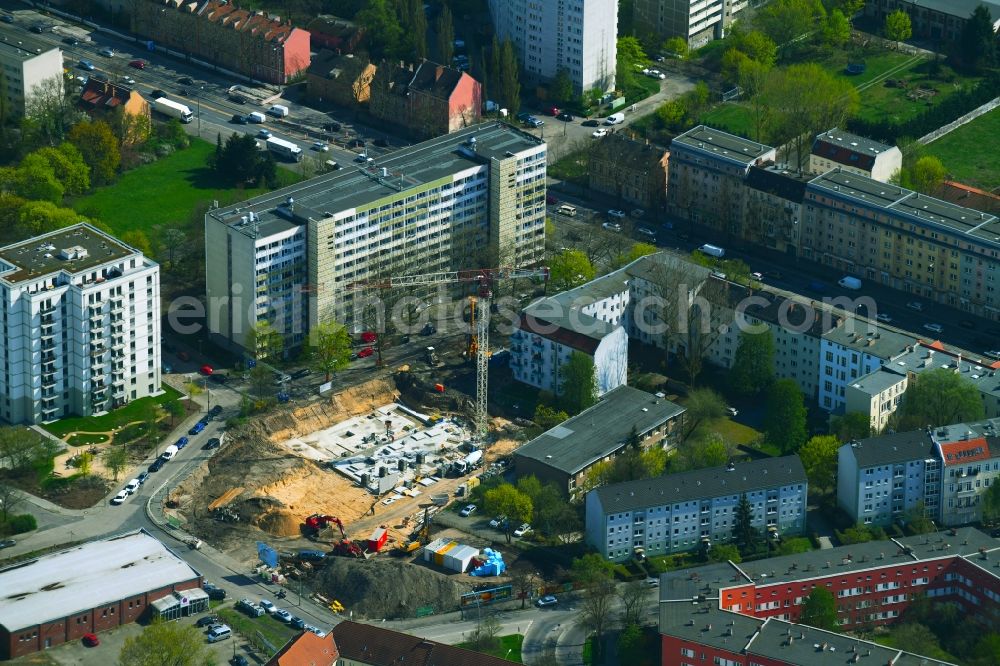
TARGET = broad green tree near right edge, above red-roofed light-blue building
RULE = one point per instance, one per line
(938, 397)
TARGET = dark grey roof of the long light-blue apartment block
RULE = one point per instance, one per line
(701, 484)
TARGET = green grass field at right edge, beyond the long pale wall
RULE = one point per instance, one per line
(969, 153)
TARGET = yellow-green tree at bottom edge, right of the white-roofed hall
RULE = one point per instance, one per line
(166, 644)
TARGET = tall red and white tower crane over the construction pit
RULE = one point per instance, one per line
(479, 344)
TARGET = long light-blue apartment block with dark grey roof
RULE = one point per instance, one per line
(685, 511)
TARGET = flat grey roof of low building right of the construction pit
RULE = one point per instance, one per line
(599, 430)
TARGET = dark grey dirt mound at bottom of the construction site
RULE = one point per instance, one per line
(384, 589)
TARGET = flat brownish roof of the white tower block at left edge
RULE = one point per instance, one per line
(86, 247)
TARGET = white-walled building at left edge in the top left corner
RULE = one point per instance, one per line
(27, 63)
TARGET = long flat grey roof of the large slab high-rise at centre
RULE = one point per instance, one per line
(356, 185)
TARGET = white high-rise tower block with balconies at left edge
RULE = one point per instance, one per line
(81, 325)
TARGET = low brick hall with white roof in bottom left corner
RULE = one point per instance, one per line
(94, 587)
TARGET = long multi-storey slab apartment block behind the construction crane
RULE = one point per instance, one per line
(450, 203)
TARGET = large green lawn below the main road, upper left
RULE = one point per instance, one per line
(165, 191)
